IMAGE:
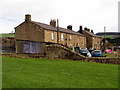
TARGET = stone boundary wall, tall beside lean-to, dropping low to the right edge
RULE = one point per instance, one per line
(60, 52)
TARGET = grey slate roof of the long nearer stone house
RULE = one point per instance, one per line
(49, 27)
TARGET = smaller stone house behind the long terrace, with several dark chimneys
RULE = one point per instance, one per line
(92, 40)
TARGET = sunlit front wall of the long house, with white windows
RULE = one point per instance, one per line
(68, 39)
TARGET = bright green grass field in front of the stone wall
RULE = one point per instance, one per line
(43, 73)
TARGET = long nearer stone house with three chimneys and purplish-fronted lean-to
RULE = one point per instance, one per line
(32, 37)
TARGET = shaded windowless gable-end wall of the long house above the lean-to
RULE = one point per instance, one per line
(29, 31)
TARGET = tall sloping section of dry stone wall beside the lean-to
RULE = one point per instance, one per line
(57, 51)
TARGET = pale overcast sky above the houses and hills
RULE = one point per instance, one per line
(93, 14)
